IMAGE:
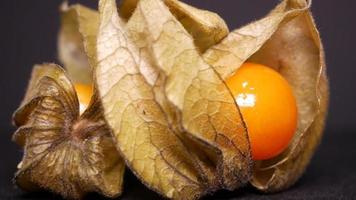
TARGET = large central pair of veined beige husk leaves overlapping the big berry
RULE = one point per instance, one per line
(175, 122)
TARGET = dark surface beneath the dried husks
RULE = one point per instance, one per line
(331, 175)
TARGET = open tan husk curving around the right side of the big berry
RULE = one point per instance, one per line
(288, 41)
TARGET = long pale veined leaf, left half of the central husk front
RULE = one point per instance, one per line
(153, 150)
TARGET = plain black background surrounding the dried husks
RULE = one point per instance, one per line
(28, 33)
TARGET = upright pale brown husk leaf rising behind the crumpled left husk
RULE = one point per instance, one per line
(77, 41)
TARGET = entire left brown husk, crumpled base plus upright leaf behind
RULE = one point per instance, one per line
(65, 152)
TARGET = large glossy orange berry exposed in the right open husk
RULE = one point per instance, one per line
(268, 107)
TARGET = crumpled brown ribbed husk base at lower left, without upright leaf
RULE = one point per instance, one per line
(63, 152)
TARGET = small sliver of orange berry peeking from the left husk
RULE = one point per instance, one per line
(84, 93)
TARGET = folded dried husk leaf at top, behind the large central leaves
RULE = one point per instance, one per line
(207, 28)
